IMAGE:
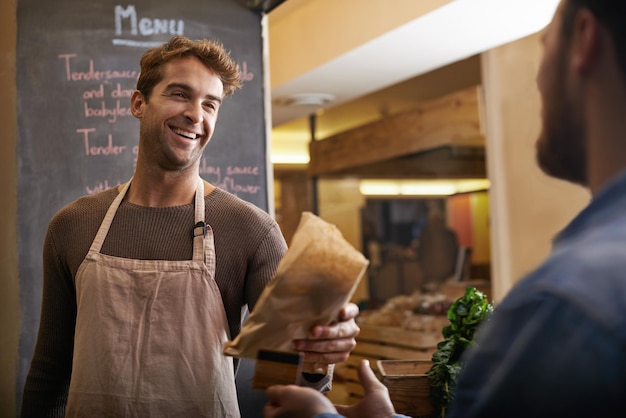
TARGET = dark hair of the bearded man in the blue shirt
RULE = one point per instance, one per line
(611, 13)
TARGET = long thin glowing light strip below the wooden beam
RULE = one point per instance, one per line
(439, 187)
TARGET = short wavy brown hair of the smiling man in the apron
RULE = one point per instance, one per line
(211, 53)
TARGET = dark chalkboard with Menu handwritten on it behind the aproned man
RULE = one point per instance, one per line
(77, 64)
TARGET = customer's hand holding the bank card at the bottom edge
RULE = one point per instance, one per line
(294, 401)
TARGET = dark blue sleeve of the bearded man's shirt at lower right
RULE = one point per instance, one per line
(542, 357)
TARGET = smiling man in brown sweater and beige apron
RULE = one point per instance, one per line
(145, 282)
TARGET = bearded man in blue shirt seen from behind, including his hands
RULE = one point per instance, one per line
(556, 345)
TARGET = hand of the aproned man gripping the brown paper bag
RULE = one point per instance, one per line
(330, 344)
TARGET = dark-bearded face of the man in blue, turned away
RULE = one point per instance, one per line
(561, 147)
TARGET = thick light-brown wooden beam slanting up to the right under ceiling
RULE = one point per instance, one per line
(453, 120)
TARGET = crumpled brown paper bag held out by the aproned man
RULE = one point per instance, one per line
(316, 277)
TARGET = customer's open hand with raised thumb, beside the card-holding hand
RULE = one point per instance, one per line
(375, 403)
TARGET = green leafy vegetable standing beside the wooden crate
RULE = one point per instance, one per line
(465, 315)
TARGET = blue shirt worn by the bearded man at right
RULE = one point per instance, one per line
(556, 345)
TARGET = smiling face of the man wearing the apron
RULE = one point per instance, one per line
(178, 120)
